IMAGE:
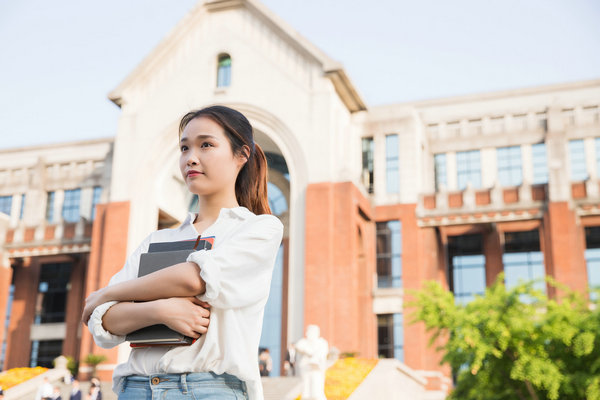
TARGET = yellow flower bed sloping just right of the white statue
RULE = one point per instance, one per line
(345, 375)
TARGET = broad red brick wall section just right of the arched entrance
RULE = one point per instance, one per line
(338, 283)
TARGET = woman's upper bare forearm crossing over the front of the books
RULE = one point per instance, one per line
(179, 280)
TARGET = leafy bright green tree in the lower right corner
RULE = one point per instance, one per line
(517, 343)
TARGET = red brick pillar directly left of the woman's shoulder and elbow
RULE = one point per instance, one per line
(107, 256)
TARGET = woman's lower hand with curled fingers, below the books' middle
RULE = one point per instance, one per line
(186, 315)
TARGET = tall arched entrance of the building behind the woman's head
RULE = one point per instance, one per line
(283, 320)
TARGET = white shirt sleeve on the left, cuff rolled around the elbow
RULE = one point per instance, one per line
(102, 337)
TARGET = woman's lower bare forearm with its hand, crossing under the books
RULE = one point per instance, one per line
(184, 315)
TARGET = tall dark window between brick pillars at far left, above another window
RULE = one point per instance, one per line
(52, 293)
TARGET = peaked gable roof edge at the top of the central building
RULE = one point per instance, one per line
(331, 68)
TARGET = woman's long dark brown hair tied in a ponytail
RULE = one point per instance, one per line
(251, 182)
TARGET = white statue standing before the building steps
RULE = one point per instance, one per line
(313, 351)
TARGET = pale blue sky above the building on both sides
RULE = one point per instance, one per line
(59, 59)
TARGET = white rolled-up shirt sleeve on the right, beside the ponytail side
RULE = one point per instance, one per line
(238, 272)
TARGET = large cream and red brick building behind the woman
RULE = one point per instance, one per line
(374, 200)
